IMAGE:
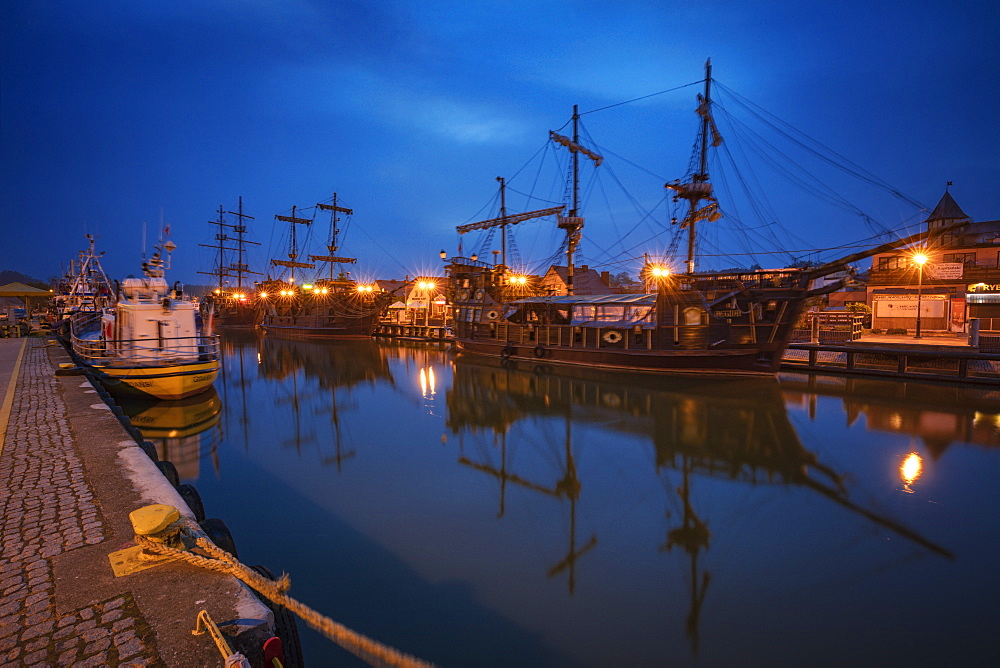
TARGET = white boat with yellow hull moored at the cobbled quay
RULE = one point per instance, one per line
(150, 341)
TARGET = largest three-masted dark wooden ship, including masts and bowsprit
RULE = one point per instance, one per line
(733, 321)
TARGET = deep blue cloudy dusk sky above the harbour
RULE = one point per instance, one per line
(117, 115)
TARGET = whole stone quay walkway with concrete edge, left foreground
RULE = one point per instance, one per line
(69, 476)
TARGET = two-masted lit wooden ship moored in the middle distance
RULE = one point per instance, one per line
(310, 306)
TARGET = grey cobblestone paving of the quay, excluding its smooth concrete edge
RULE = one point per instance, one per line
(48, 508)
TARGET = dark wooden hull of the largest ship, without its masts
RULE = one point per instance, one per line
(703, 324)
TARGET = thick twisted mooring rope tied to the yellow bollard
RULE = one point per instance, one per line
(221, 561)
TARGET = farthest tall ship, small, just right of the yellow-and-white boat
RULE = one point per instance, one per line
(233, 302)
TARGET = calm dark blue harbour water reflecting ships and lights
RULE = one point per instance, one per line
(473, 513)
